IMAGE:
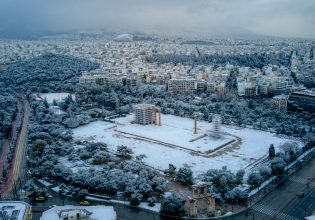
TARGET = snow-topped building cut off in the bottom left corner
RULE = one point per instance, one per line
(16, 210)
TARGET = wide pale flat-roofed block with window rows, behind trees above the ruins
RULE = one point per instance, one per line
(182, 85)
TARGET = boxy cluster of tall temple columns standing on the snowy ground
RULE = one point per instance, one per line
(145, 114)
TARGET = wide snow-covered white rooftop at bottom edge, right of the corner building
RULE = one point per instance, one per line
(70, 212)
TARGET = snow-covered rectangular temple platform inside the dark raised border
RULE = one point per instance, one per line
(176, 132)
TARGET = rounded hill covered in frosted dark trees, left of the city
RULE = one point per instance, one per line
(44, 73)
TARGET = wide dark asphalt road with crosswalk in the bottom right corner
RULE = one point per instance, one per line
(283, 203)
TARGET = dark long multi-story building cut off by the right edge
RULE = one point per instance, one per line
(302, 101)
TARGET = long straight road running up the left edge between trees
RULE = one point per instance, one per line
(17, 170)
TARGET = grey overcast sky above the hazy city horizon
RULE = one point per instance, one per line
(284, 18)
